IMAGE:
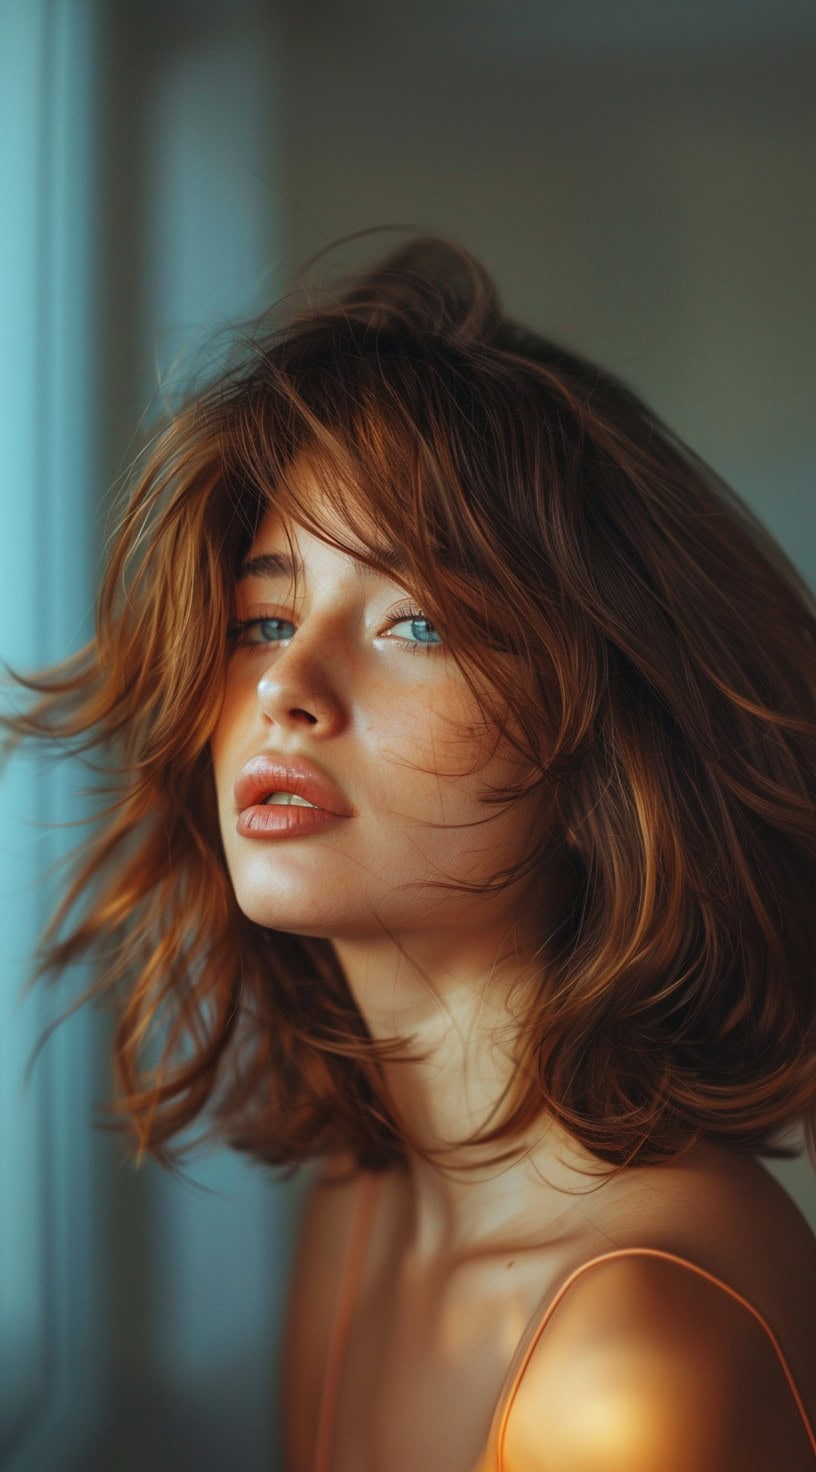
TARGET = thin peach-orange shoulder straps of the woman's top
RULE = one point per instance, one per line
(493, 1458)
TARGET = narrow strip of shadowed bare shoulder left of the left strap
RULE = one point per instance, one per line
(323, 1234)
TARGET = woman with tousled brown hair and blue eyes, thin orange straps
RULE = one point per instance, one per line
(515, 938)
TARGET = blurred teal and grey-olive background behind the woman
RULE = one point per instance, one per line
(641, 182)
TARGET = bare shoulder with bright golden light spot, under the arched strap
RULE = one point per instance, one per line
(650, 1367)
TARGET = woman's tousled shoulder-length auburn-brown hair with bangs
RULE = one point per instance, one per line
(630, 626)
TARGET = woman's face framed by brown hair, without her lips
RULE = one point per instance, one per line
(354, 681)
